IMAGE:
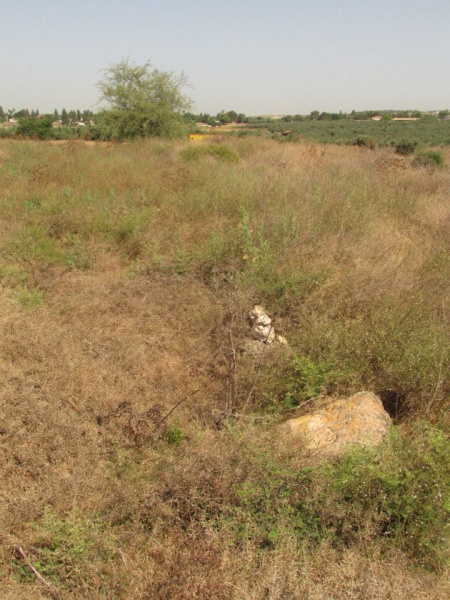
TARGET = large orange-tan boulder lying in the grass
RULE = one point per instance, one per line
(327, 432)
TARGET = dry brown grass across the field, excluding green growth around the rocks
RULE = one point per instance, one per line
(117, 239)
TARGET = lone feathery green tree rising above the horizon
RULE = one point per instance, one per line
(142, 101)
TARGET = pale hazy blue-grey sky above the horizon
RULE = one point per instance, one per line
(252, 56)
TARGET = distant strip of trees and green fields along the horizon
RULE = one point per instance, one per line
(321, 126)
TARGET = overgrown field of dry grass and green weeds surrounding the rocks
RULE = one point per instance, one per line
(139, 451)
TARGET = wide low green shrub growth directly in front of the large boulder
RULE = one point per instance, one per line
(394, 496)
